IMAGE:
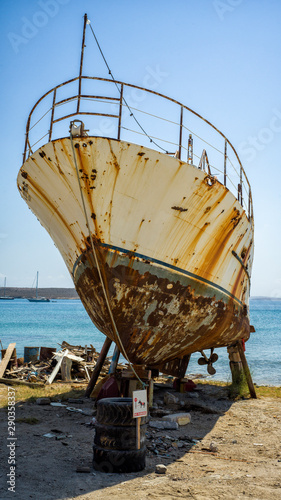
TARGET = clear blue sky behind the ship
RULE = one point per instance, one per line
(221, 58)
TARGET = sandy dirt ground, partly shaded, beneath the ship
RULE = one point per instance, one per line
(243, 461)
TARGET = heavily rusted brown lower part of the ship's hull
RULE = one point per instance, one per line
(160, 315)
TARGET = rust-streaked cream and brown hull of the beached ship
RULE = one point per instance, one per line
(174, 245)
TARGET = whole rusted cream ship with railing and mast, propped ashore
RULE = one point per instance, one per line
(159, 243)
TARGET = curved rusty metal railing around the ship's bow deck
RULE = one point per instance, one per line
(123, 111)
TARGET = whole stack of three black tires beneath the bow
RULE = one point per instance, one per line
(115, 448)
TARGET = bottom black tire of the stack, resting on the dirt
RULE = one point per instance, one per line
(118, 461)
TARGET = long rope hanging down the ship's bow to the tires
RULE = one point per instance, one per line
(99, 269)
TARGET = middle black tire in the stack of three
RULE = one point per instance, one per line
(118, 438)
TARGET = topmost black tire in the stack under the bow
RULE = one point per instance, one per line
(117, 411)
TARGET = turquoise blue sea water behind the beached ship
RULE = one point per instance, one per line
(31, 324)
